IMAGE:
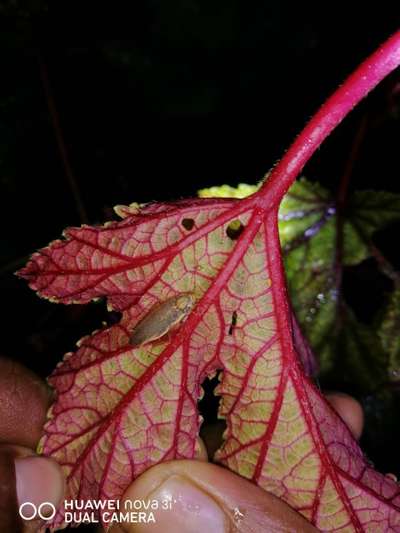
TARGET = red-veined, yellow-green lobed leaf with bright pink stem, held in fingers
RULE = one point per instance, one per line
(122, 408)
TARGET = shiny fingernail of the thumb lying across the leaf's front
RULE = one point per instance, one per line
(190, 508)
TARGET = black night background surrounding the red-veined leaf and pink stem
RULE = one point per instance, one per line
(197, 93)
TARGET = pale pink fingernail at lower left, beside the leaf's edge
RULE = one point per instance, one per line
(38, 480)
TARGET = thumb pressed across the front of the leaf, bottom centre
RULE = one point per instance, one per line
(204, 496)
